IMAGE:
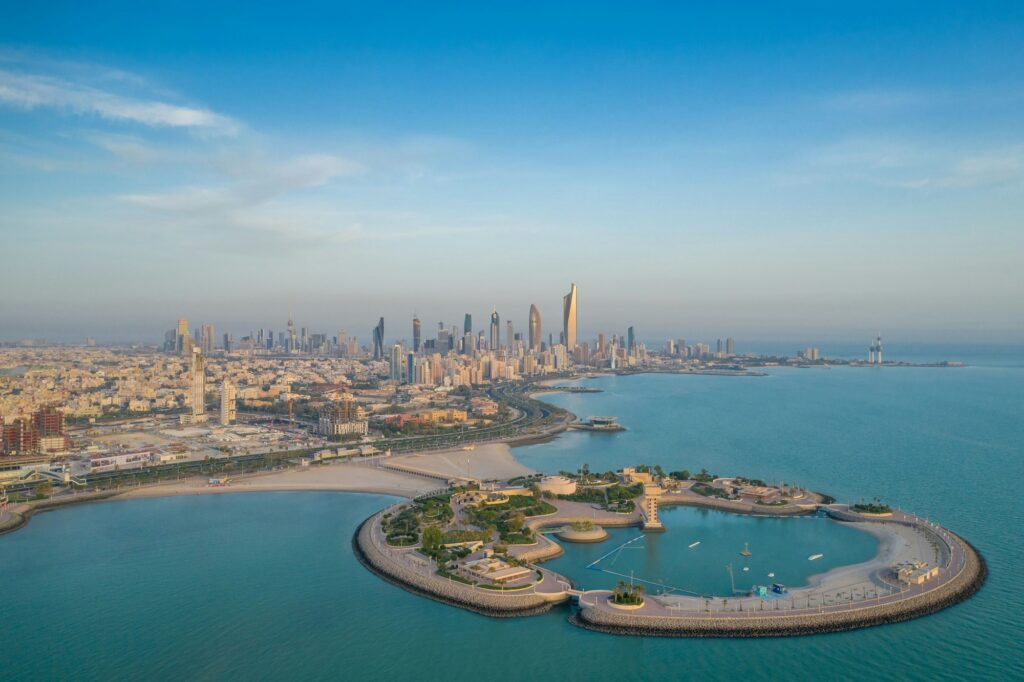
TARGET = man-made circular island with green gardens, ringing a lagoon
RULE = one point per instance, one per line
(485, 558)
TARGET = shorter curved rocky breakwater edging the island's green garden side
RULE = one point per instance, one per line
(389, 565)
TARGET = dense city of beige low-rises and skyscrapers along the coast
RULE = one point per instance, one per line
(304, 374)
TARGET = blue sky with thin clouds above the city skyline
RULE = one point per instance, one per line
(816, 170)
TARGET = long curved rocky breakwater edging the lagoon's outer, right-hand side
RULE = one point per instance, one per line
(968, 580)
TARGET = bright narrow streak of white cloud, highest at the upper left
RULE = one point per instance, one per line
(30, 92)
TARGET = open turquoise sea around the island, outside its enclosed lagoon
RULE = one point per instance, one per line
(264, 586)
